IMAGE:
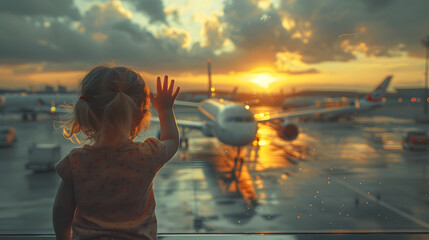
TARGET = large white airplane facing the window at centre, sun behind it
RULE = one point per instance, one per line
(235, 125)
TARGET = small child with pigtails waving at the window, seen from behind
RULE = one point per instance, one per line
(106, 188)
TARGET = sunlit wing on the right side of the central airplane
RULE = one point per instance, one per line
(305, 113)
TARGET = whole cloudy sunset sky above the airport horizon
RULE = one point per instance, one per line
(265, 45)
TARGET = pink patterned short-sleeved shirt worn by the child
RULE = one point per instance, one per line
(113, 189)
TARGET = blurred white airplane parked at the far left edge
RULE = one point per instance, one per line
(33, 104)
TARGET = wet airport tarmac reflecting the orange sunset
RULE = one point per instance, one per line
(336, 176)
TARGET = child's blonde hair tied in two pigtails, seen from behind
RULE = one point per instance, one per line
(112, 99)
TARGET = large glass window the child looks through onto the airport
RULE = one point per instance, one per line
(336, 91)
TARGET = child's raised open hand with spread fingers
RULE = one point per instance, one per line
(164, 99)
